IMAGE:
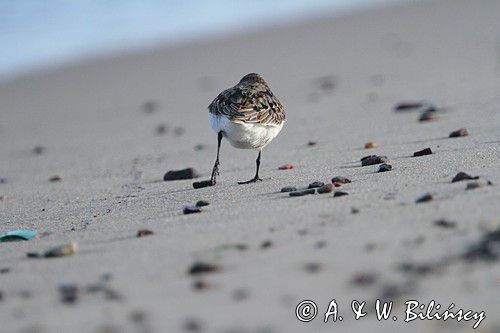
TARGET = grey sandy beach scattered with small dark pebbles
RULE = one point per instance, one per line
(111, 128)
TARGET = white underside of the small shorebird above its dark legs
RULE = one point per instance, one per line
(244, 135)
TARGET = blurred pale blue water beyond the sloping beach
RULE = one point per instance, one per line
(39, 34)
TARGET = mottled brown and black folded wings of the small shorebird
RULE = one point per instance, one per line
(245, 106)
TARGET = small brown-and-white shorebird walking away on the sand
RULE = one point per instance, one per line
(249, 116)
